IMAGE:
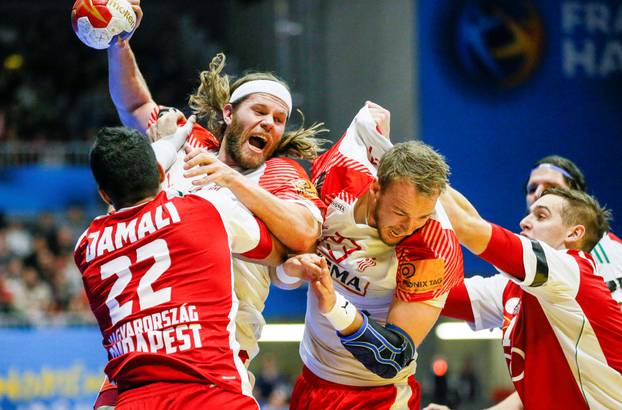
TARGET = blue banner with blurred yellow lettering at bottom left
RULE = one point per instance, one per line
(50, 368)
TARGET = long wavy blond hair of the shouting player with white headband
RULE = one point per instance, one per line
(214, 92)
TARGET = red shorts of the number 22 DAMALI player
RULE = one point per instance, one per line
(183, 396)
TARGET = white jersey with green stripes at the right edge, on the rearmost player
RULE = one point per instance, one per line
(608, 256)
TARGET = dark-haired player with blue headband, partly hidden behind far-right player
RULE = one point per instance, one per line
(554, 171)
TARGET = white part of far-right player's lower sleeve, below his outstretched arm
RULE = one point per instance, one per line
(486, 296)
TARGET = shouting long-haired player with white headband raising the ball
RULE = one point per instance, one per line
(243, 146)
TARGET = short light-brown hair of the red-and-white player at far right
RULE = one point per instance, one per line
(580, 208)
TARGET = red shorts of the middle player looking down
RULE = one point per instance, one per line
(312, 392)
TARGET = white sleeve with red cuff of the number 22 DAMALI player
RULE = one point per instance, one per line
(245, 232)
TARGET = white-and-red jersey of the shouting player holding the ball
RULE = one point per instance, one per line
(282, 177)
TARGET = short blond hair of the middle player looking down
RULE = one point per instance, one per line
(416, 163)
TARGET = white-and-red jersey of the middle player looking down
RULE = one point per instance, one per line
(364, 269)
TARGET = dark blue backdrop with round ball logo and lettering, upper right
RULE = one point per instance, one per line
(503, 83)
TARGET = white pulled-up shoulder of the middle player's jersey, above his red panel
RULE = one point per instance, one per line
(363, 142)
